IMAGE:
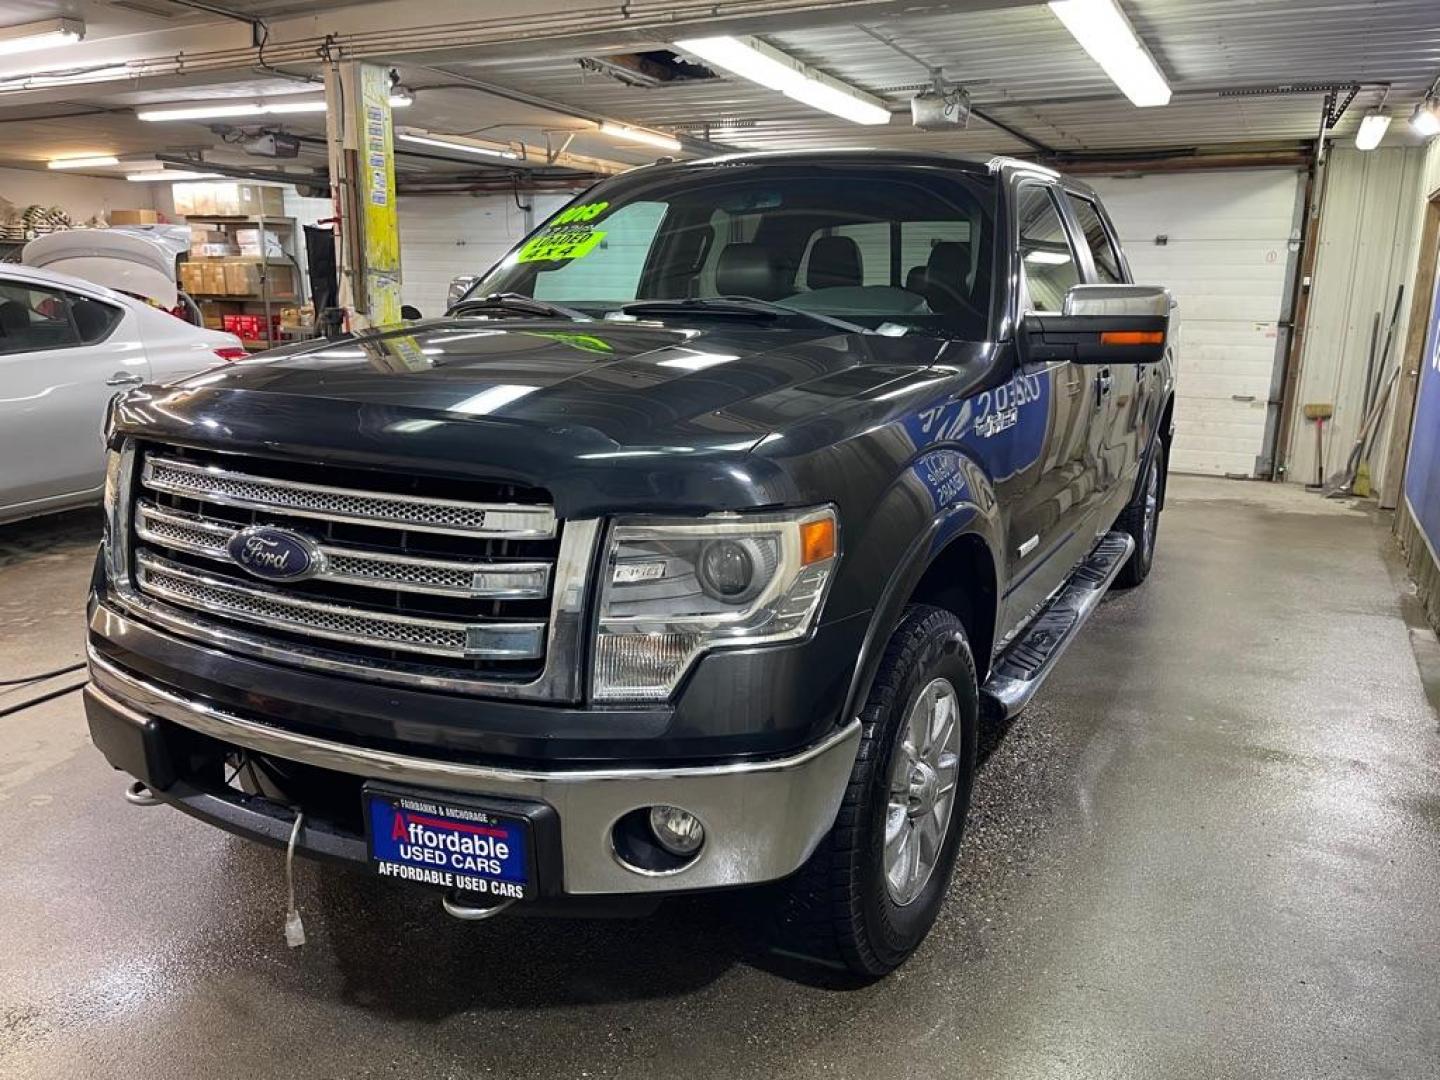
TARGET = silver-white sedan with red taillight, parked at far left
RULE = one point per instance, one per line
(67, 348)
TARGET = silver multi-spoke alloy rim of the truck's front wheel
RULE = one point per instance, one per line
(924, 778)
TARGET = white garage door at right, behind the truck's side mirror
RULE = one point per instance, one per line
(1225, 256)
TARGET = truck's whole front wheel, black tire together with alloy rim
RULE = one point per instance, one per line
(856, 902)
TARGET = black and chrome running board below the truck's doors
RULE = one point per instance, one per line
(1027, 662)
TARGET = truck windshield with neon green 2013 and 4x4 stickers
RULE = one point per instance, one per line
(902, 246)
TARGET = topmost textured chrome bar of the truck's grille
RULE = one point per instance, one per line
(418, 513)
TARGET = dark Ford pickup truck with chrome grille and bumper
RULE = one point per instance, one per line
(685, 552)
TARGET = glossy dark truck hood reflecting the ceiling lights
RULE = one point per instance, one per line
(606, 415)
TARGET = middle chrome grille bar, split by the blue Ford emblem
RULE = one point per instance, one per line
(210, 539)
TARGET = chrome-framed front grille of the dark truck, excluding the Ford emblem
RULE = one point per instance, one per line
(417, 581)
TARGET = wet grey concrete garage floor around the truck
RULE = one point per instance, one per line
(1210, 849)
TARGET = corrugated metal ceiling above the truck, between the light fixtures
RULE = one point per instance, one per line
(1023, 68)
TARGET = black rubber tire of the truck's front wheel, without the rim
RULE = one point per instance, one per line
(839, 908)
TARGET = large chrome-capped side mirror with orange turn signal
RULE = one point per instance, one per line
(1102, 325)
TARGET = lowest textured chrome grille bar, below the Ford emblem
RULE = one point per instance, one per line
(339, 623)
